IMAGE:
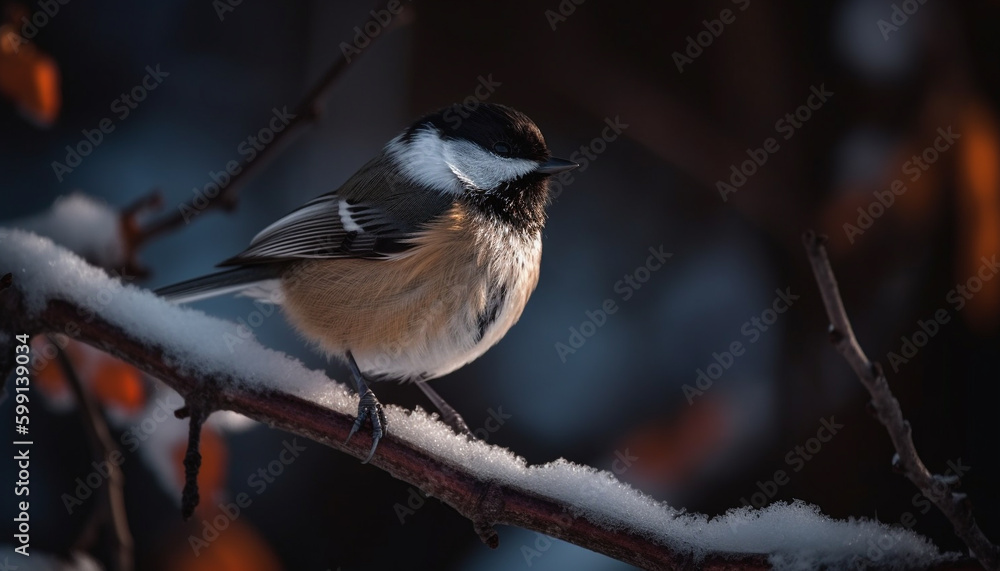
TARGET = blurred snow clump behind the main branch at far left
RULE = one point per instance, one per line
(80, 223)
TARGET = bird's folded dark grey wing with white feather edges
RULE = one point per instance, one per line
(374, 215)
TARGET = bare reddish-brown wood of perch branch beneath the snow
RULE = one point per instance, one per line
(485, 503)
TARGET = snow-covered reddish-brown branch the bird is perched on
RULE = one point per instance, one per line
(217, 366)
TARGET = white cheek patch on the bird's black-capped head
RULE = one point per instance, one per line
(453, 166)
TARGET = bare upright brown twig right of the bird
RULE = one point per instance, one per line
(955, 506)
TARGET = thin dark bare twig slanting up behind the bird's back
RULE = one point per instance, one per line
(308, 111)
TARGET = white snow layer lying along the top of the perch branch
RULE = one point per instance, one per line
(794, 536)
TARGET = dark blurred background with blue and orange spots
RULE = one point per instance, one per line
(842, 98)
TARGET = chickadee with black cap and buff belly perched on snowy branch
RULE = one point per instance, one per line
(419, 263)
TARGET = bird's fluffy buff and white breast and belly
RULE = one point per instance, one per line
(422, 314)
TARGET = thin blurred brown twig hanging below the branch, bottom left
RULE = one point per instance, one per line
(106, 451)
